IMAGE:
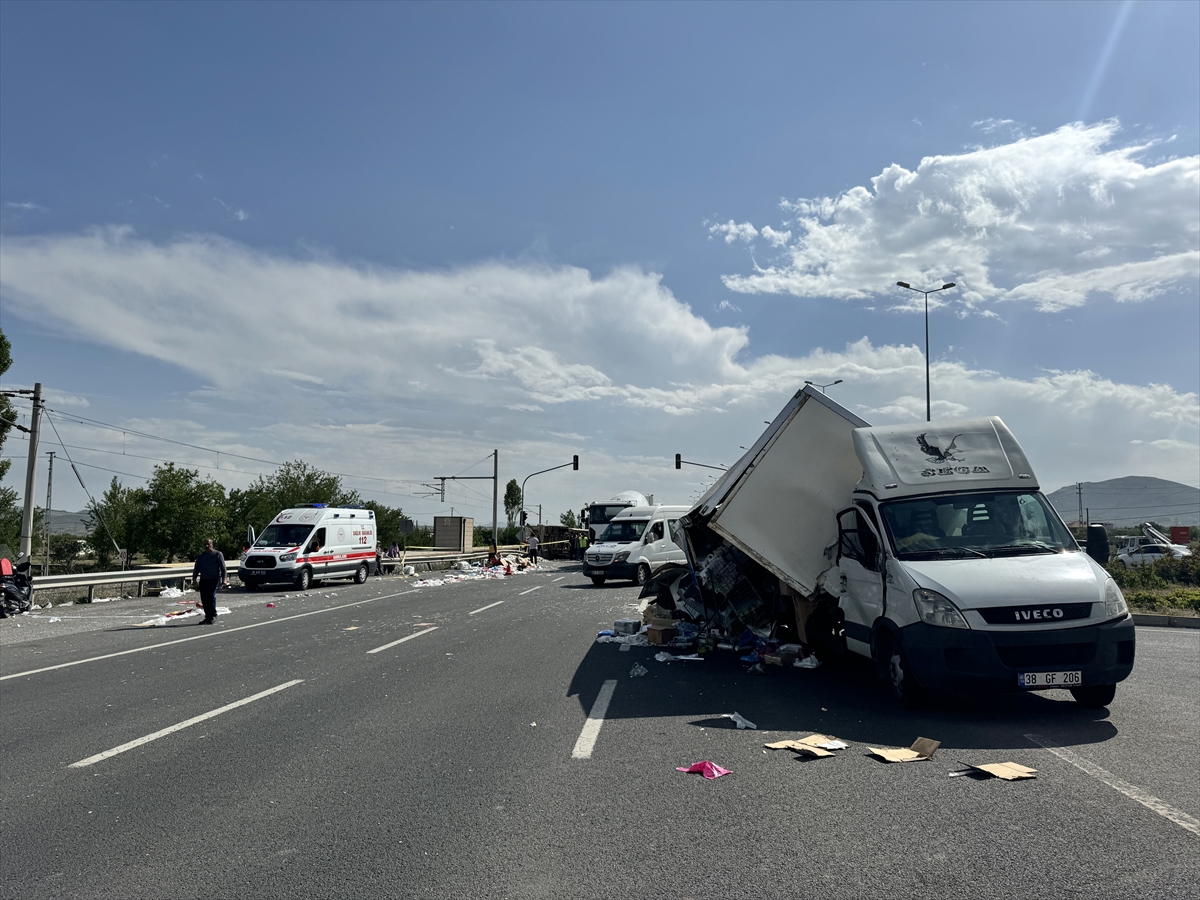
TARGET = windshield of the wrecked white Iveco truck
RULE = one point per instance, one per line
(973, 525)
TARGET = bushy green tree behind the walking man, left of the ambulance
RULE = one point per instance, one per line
(182, 512)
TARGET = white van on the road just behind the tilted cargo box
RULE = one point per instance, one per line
(637, 543)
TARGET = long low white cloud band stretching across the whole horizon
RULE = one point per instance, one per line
(413, 375)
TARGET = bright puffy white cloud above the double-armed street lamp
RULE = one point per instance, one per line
(1025, 221)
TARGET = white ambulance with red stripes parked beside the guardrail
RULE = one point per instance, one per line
(311, 543)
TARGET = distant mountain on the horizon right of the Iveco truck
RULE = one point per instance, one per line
(1131, 501)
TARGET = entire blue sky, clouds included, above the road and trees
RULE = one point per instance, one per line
(389, 238)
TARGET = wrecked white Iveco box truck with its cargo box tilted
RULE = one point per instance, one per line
(928, 548)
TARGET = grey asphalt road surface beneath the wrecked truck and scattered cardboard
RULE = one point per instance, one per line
(442, 766)
